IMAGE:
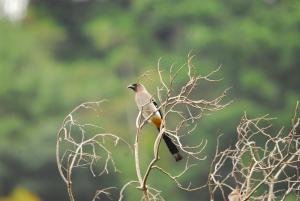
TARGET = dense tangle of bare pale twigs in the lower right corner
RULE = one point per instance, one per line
(264, 165)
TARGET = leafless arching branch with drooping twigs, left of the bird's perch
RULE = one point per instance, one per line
(77, 148)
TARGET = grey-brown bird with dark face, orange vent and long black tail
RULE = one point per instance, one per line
(150, 110)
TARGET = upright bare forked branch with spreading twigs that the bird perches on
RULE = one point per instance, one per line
(179, 102)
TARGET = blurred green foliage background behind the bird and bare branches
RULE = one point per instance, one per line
(61, 53)
